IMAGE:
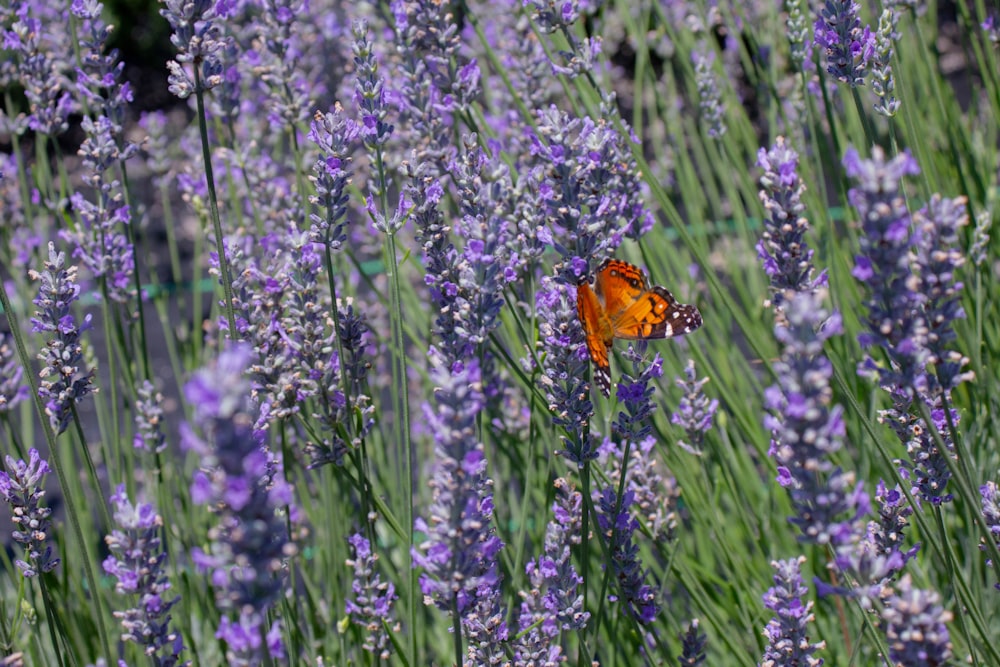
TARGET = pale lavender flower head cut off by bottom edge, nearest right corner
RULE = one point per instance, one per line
(916, 627)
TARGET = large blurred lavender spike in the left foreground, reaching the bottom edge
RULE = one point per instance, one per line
(242, 484)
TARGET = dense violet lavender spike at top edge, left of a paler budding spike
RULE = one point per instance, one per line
(849, 48)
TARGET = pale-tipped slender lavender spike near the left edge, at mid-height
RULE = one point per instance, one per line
(63, 359)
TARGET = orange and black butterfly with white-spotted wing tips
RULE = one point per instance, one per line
(623, 305)
